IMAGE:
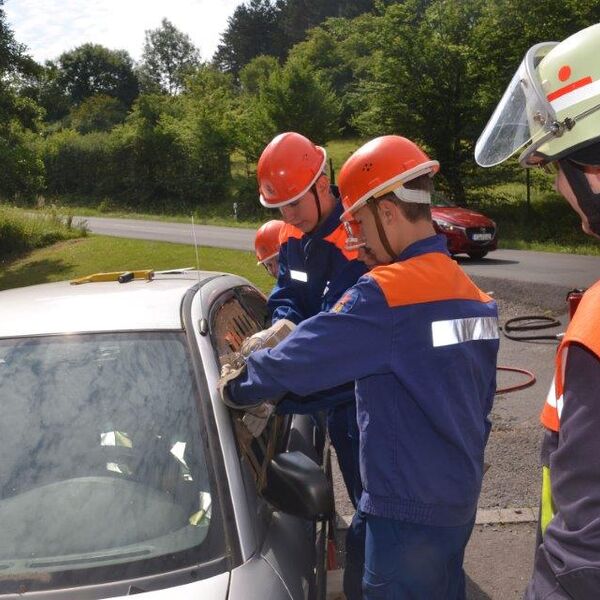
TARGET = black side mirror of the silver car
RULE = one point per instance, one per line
(298, 486)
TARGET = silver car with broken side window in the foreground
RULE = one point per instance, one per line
(121, 472)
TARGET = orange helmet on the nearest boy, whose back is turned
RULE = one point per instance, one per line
(381, 166)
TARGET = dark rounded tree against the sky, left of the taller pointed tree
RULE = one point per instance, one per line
(92, 69)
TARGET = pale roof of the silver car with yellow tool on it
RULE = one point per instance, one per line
(56, 308)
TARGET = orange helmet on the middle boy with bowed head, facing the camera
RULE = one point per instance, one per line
(287, 168)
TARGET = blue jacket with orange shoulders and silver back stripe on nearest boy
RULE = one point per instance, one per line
(421, 341)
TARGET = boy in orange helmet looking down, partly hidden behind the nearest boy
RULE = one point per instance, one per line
(315, 268)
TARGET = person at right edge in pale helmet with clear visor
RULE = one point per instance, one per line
(552, 107)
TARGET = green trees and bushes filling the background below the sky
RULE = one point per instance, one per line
(173, 135)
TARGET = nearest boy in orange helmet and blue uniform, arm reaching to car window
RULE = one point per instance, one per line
(421, 341)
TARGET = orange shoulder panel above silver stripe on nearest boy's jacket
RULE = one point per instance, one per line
(431, 277)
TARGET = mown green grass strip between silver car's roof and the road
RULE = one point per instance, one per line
(94, 254)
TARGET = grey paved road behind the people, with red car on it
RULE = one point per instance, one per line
(531, 267)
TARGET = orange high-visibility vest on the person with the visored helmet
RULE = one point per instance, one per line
(583, 329)
